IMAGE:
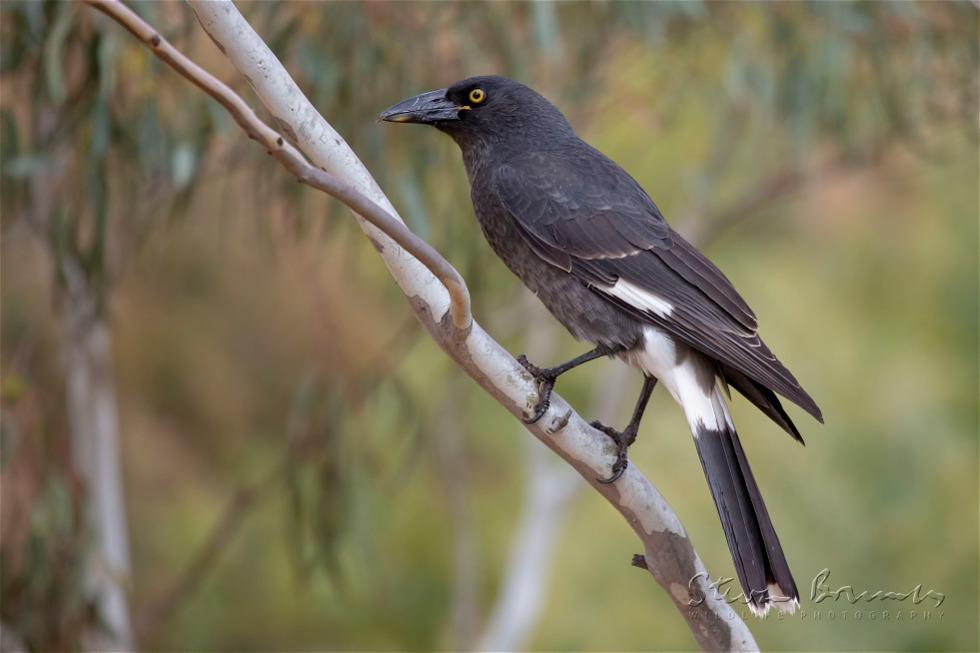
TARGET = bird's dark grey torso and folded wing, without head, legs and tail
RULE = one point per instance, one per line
(562, 215)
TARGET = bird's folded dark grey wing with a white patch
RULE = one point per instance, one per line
(581, 212)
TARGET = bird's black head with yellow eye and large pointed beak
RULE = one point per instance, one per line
(481, 109)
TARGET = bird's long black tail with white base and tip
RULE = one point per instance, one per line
(759, 560)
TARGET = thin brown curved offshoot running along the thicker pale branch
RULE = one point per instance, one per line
(292, 159)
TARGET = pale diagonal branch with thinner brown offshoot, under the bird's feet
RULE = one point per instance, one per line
(443, 308)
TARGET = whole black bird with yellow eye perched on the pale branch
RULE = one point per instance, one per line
(588, 241)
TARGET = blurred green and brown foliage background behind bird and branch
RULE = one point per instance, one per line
(302, 468)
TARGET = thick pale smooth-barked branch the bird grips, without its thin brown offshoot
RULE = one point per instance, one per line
(669, 554)
